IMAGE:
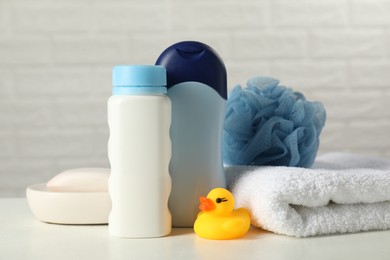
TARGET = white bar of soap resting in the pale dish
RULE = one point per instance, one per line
(80, 180)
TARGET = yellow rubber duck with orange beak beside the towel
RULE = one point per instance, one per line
(218, 220)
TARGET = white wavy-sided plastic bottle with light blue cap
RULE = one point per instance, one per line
(139, 150)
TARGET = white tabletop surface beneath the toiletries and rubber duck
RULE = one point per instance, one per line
(24, 237)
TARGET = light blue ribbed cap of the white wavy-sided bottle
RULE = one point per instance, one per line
(139, 79)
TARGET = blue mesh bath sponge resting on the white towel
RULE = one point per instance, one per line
(270, 124)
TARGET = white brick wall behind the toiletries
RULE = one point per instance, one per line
(56, 59)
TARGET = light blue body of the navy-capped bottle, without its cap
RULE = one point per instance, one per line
(196, 165)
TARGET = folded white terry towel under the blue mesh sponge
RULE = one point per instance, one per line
(342, 193)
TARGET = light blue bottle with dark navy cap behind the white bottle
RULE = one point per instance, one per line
(197, 87)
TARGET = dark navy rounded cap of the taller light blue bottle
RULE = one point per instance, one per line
(194, 61)
